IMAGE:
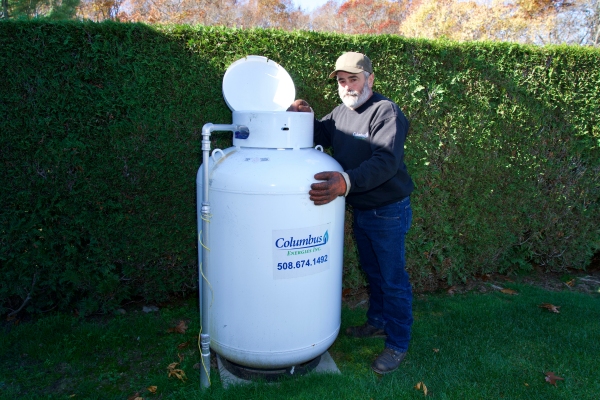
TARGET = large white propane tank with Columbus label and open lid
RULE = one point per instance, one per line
(274, 267)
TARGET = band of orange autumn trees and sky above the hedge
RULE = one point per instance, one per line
(524, 21)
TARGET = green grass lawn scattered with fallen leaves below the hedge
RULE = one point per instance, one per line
(466, 346)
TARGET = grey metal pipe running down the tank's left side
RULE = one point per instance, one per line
(203, 295)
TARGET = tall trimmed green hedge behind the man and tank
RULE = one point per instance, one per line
(100, 144)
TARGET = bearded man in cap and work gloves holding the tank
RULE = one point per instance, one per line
(367, 133)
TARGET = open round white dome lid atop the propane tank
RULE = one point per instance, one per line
(255, 83)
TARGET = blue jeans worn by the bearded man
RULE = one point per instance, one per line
(379, 235)
